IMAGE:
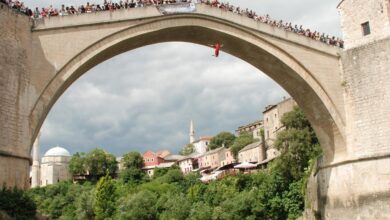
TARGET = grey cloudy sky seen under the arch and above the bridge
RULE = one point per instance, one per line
(130, 103)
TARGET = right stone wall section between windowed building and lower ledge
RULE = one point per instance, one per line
(367, 83)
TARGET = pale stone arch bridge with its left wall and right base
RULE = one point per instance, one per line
(41, 59)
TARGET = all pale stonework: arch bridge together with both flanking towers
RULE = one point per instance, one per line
(343, 93)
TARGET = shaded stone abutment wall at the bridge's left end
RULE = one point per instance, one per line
(15, 141)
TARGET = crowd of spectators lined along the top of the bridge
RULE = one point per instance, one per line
(108, 5)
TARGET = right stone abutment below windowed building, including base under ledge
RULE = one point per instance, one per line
(359, 187)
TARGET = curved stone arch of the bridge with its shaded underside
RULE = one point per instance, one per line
(287, 69)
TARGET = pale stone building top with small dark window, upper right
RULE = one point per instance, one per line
(356, 12)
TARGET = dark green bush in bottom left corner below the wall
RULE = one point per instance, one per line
(17, 204)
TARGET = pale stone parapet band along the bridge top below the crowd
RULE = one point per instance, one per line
(148, 13)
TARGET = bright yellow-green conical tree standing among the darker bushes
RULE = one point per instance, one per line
(105, 198)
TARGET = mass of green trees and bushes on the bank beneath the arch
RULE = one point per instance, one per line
(275, 193)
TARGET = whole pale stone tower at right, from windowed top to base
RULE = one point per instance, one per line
(358, 188)
